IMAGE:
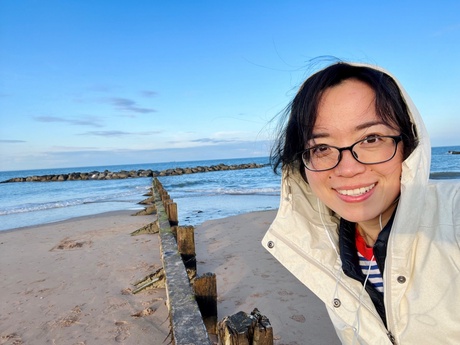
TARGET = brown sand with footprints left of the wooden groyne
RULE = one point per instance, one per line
(68, 283)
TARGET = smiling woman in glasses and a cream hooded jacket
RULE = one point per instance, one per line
(359, 223)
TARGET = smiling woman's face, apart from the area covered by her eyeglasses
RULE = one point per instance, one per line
(357, 192)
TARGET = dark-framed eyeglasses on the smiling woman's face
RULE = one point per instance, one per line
(374, 149)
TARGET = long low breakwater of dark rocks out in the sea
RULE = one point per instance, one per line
(123, 174)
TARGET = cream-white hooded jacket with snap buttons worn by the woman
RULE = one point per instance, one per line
(422, 267)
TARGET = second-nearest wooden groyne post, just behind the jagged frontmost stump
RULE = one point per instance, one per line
(206, 296)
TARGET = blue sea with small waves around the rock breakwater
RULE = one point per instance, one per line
(199, 197)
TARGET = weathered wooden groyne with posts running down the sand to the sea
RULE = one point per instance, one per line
(192, 300)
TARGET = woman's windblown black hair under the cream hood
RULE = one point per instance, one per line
(301, 113)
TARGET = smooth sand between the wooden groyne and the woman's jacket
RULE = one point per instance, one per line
(249, 277)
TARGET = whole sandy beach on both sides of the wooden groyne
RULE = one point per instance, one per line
(70, 282)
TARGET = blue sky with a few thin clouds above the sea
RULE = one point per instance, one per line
(106, 82)
